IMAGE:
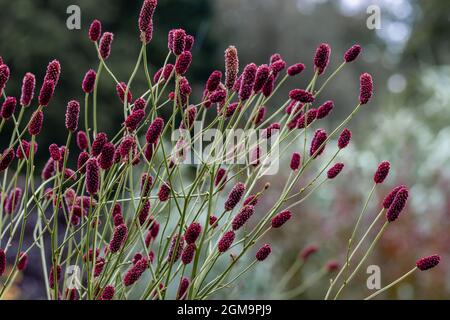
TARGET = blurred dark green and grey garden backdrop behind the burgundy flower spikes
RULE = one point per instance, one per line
(407, 122)
